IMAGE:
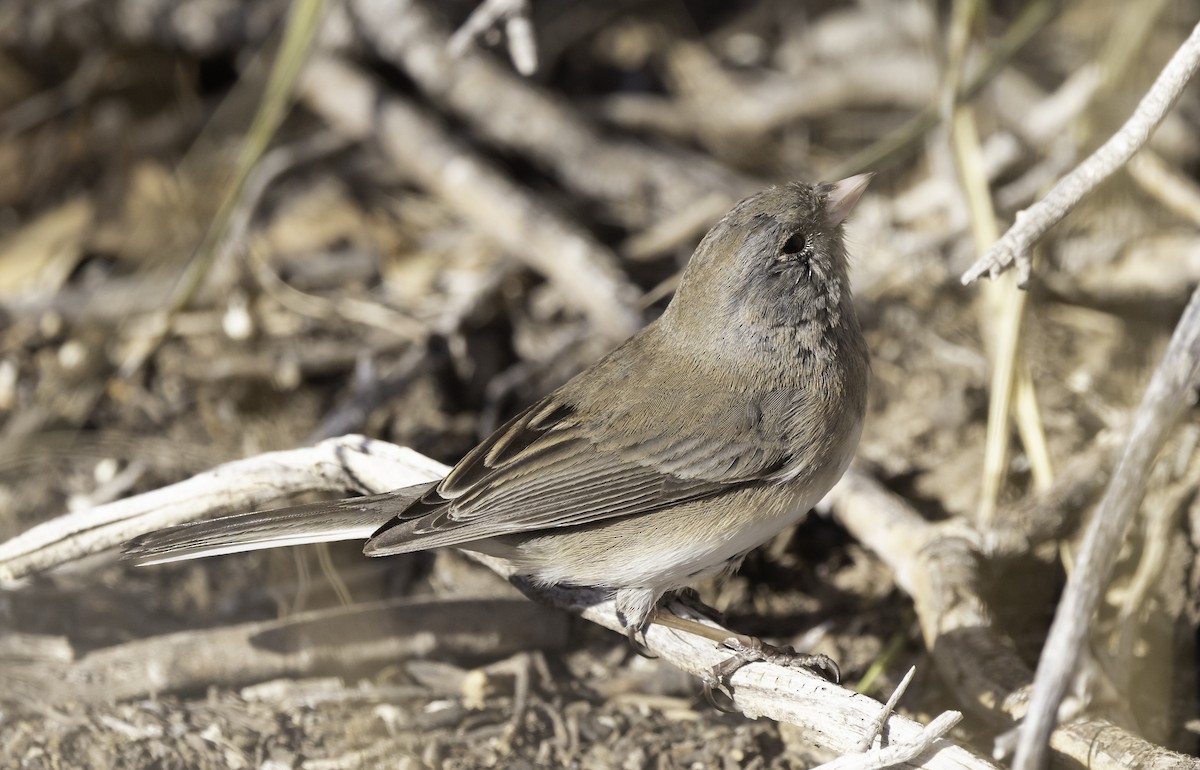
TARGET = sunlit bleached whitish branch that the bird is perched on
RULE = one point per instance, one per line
(830, 718)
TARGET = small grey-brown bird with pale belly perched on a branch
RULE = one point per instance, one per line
(697, 441)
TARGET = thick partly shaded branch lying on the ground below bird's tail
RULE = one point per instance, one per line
(379, 634)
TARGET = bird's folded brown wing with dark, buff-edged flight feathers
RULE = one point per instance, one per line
(553, 467)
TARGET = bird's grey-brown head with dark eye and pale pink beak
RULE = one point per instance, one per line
(775, 268)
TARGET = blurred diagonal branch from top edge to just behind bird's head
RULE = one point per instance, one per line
(637, 182)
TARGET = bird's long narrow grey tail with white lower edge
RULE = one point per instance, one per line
(357, 519)
